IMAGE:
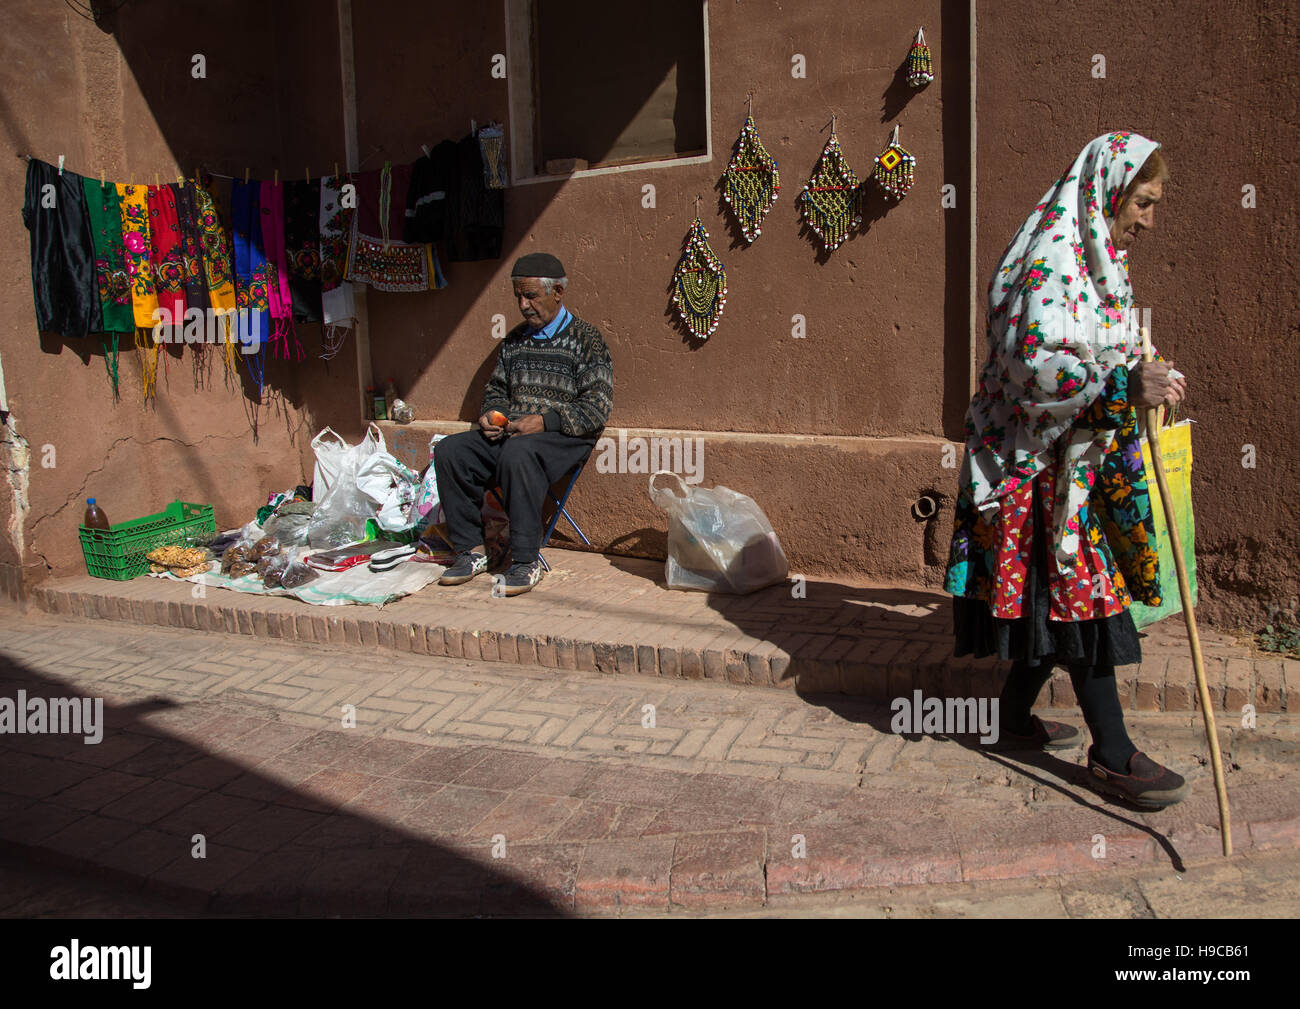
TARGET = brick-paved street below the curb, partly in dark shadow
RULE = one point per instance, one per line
(736, 798)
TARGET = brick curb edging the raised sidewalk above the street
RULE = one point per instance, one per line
(878, 664)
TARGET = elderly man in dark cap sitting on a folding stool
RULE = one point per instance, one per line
(554, 384)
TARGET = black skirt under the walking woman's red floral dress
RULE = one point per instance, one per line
(1034, 638)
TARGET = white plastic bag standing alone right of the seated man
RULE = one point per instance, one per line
(718, 540)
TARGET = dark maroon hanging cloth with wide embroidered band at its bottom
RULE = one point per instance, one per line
(376, 258)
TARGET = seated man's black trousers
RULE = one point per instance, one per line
(523, 466)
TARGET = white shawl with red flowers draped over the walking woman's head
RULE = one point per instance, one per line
(1059, 324)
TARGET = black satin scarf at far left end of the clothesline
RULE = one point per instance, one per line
(63, 253)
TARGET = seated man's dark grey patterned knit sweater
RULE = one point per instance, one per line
(567, 379)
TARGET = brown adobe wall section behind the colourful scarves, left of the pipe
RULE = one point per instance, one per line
(128, 105)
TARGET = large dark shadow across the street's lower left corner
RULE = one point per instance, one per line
(123, 815)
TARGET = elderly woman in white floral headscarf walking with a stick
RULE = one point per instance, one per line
(1054, 531)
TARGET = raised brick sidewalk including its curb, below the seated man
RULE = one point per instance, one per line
(604, 614)
